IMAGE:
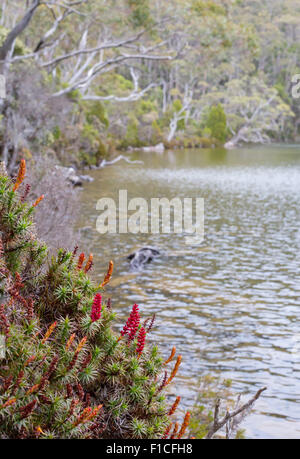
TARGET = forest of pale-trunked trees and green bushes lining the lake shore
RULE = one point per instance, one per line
(86, 78)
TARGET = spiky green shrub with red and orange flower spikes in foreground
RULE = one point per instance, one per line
(65, 372)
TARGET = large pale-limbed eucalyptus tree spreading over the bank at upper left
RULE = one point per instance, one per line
(71, 45)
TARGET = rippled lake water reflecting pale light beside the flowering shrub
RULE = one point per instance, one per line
(231, 306)
